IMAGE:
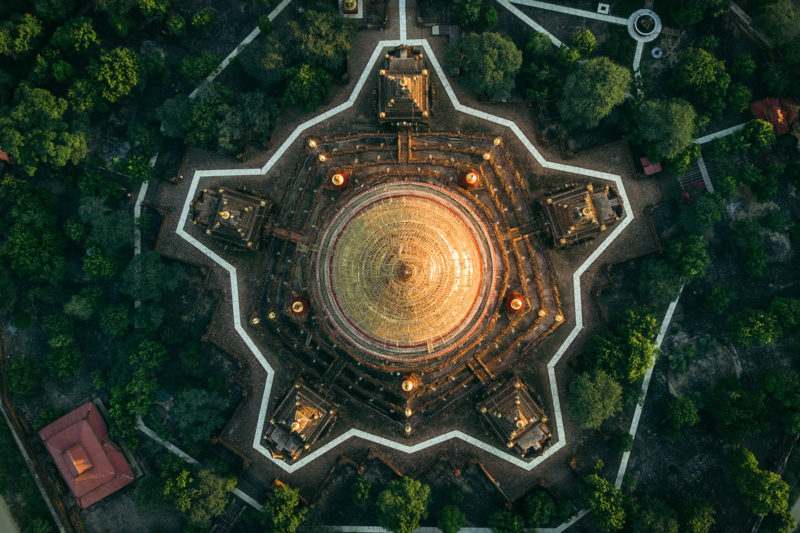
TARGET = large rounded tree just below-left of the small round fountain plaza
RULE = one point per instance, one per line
(592, 90)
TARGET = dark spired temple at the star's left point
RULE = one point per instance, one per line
(232, 217)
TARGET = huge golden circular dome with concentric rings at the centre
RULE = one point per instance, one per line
(405, 272)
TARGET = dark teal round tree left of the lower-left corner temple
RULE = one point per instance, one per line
(199, 413)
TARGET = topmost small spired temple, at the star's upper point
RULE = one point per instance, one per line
(404, 89)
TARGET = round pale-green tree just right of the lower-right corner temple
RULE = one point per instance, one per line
(593, 398)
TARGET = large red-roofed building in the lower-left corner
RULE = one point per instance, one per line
(92, 467)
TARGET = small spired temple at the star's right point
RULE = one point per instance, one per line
(577, 213)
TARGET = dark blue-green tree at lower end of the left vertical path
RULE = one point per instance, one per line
(147, 277)
